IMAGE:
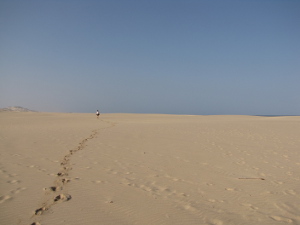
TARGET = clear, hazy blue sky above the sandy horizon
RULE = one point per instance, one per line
(151, 56)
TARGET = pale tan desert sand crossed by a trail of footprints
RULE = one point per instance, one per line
(148, 169)
